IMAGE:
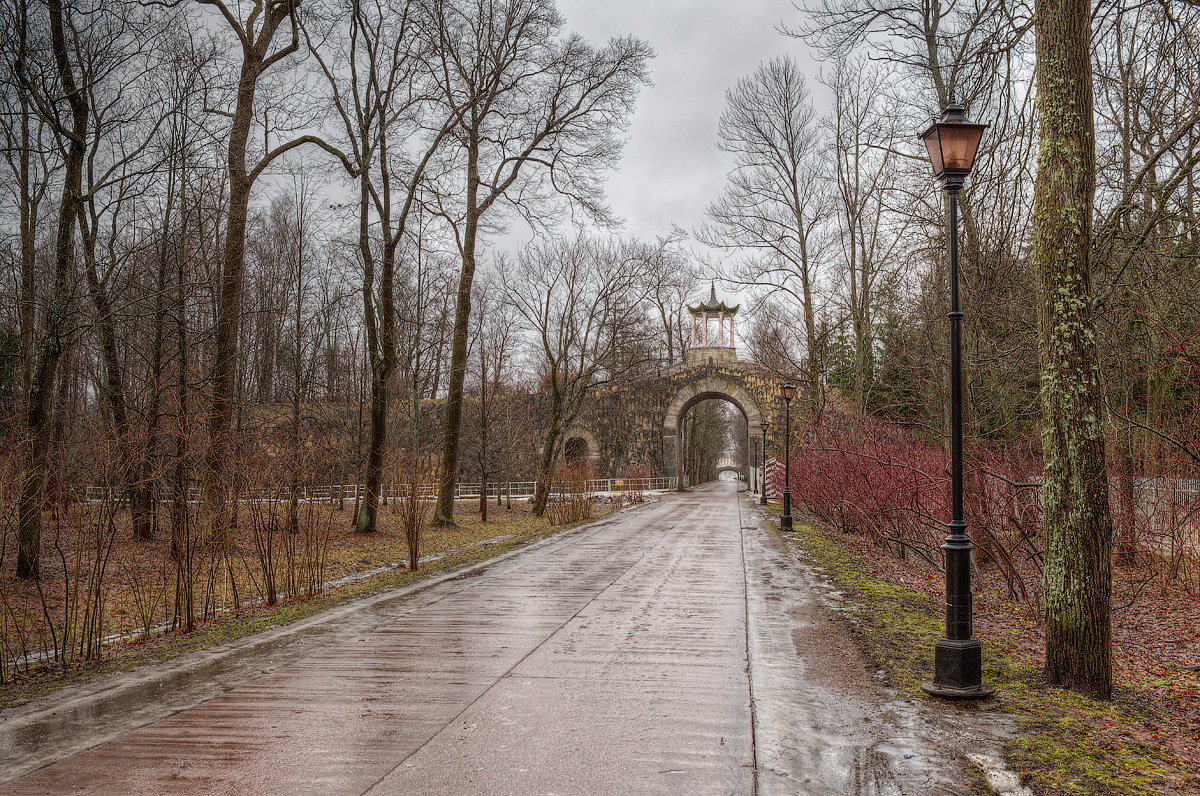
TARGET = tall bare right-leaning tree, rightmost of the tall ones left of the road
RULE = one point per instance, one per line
(541, 116)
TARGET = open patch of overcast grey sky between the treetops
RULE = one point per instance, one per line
(671, 167)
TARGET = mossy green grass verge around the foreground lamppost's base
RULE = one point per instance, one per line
(1067, 744)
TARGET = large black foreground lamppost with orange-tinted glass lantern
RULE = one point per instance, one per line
(958, 659)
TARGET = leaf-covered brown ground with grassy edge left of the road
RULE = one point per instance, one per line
(139, 588)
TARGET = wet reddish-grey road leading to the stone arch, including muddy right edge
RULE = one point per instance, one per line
(668, 650)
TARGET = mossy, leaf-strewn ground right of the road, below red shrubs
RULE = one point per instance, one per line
(1145, 740)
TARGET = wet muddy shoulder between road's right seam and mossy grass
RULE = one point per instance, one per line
(826, 720)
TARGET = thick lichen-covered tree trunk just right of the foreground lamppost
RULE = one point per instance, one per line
(1078, 578)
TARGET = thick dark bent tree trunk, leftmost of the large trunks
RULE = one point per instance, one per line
(39, 408)
